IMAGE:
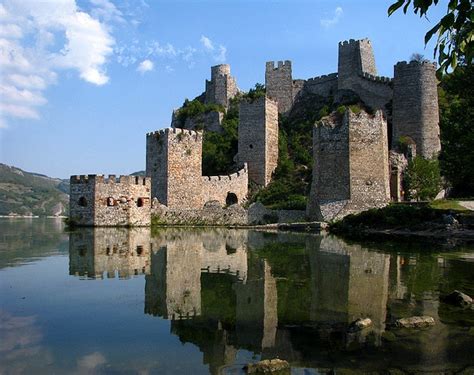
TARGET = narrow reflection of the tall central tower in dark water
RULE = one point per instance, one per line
(257, 315)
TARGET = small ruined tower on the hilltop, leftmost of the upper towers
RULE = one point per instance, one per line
(222, 86)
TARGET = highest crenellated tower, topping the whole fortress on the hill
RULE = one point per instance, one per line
(356, 57)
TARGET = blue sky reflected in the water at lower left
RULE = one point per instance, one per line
(71, 319)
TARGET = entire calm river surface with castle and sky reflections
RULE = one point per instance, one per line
(209, 301)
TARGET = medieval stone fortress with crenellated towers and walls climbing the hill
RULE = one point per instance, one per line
(357, 159)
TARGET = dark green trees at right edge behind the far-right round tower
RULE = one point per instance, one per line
(456, 101)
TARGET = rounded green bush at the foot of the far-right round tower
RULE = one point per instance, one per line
(422, 179)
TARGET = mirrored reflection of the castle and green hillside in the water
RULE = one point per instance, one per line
(288, 296)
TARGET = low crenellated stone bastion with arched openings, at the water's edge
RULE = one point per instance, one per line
(98, 201)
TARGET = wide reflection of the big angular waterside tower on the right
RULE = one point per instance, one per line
(349, 283)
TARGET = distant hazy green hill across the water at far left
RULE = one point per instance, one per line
(26, 193)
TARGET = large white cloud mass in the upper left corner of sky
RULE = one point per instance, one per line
(40, 38)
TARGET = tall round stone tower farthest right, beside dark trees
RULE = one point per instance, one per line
(415, 106)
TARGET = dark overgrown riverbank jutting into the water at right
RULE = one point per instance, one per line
(422, 222)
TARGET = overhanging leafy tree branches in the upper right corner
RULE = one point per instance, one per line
(455, 34)
